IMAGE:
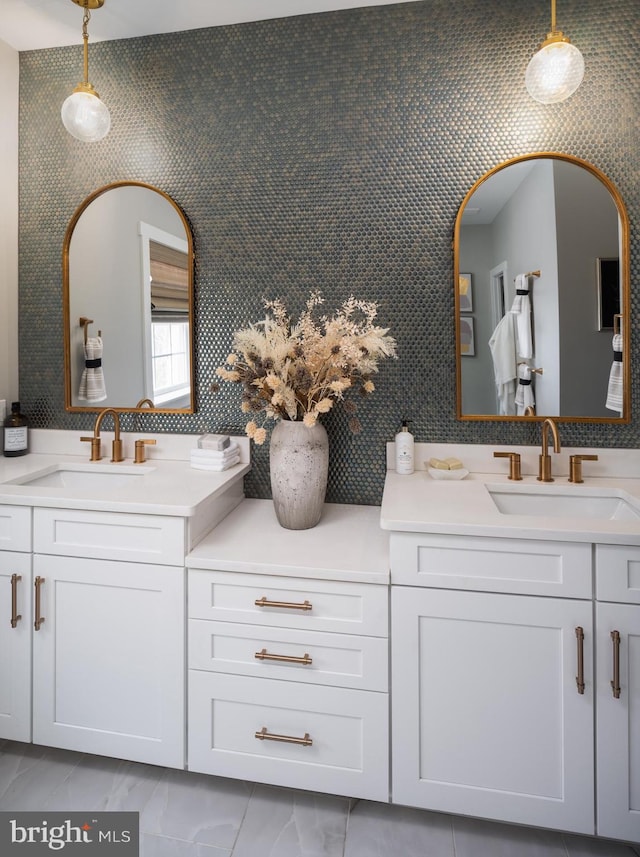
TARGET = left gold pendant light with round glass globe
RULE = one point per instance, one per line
(83, 114)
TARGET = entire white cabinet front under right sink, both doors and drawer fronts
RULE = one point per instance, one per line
(503, 702)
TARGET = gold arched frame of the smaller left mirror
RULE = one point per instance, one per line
(143, 405)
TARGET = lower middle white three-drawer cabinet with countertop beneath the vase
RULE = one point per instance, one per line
(288, 667)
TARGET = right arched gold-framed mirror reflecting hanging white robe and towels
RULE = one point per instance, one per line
(541, 267)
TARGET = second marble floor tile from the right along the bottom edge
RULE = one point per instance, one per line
(475, 838)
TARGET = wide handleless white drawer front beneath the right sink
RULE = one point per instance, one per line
(517, 566)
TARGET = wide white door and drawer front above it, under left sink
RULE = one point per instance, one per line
(108, 655)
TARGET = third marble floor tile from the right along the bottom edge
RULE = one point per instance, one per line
(381, 830)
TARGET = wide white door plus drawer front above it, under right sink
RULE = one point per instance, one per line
(487, 716)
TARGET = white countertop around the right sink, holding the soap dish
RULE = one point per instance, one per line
(418, 503)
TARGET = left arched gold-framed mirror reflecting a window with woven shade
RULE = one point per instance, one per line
(128, 302)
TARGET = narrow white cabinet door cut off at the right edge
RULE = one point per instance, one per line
(618, 732)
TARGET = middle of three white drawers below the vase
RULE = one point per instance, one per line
(340, 660)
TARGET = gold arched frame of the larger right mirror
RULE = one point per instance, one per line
(625, 303)
